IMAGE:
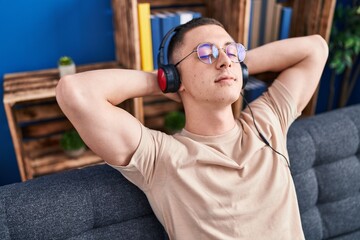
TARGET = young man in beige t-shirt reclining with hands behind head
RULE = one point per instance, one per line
(217, 179)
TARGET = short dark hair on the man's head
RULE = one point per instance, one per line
(180, 32)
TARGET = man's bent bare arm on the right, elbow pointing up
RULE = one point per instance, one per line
(300, 62)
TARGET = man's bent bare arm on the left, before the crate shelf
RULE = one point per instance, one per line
(89, 101)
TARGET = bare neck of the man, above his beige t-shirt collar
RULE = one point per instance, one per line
(209, 122)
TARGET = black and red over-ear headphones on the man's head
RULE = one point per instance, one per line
(168, 76)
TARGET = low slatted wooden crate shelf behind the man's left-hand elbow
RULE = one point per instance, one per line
(36, 121)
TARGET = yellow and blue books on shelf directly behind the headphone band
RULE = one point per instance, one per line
(153, 25)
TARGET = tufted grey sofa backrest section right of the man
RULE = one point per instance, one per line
(324, 152)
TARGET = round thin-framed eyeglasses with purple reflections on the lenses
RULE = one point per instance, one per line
(209, 52)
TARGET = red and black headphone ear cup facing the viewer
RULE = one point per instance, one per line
(168, 78)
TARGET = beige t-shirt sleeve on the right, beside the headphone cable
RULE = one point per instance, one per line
(276, 108)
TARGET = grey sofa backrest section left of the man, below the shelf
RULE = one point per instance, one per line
(92, 203)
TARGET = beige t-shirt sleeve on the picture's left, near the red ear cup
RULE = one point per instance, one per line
(143, 164)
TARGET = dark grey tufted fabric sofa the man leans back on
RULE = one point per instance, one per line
(98, 203)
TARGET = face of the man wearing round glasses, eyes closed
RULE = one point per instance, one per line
(216, 83)
